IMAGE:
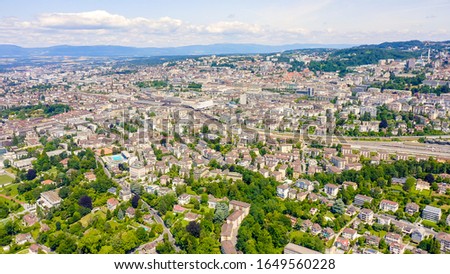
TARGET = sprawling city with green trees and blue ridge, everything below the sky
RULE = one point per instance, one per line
(229, 148)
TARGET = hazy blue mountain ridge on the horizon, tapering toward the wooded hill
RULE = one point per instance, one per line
(120, 51)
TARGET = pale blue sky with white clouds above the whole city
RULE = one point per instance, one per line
(170, 23)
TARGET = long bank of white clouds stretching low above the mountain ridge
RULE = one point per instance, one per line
(101, 27)
